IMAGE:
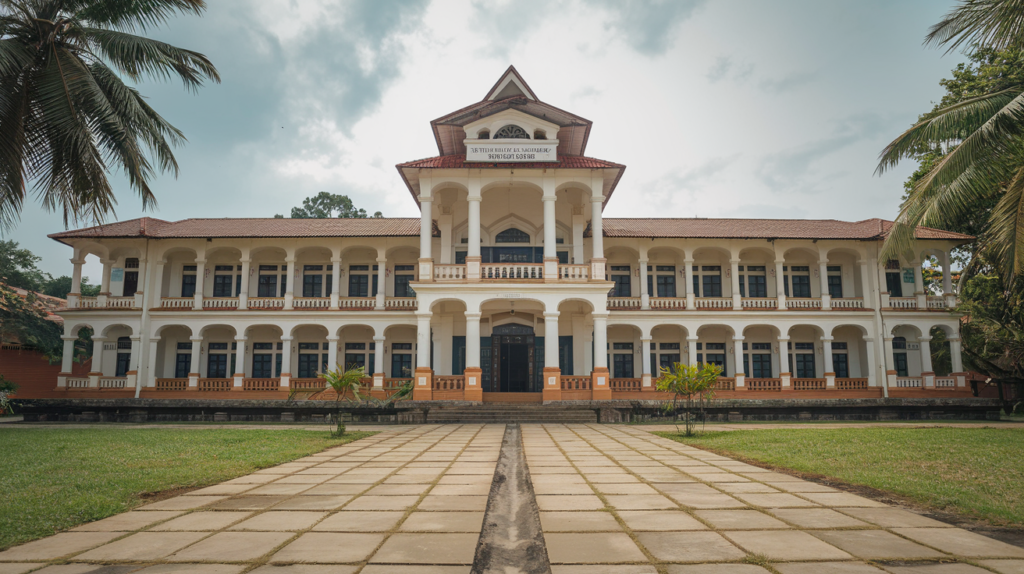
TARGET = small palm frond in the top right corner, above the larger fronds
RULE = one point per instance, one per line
(991, 24)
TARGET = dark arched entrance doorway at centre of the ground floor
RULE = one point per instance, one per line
(513, 357)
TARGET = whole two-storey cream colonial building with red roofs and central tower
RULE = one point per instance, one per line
(511, 286)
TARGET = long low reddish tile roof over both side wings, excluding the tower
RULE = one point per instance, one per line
(869, 230)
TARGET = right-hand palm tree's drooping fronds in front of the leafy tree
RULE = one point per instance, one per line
(985, 138)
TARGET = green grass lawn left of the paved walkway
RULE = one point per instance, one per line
(54, 479)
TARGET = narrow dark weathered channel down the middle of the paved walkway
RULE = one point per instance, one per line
(511, 542)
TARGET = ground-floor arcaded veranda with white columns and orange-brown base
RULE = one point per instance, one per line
(514, 348)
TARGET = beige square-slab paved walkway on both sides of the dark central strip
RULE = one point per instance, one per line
(612, 500)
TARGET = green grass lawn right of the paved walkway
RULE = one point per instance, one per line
(973, 472)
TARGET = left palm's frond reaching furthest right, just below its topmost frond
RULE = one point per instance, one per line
(136, 57)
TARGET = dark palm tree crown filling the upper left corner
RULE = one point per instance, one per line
(66, 115)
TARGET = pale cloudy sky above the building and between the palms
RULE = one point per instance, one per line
(718, 108)
